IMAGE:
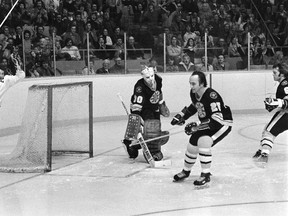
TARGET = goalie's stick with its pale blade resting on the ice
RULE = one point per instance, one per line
(144, 146)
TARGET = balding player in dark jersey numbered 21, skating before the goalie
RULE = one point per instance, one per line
(215, 120)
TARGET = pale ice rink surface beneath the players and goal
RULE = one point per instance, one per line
(111, 184)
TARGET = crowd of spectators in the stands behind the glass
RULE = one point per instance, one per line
(184, 22)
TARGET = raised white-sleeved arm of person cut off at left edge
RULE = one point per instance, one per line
(8, 81)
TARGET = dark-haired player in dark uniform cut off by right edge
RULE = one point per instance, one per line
(279, 122)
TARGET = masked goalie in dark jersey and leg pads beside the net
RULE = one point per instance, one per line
(147, 101)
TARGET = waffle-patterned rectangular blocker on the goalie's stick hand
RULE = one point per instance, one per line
(133, 127)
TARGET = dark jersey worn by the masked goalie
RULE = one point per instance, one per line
(146, 98)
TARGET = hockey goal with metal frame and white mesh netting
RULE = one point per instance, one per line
(57, 118)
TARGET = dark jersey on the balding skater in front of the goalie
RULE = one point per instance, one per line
(211, 107)
